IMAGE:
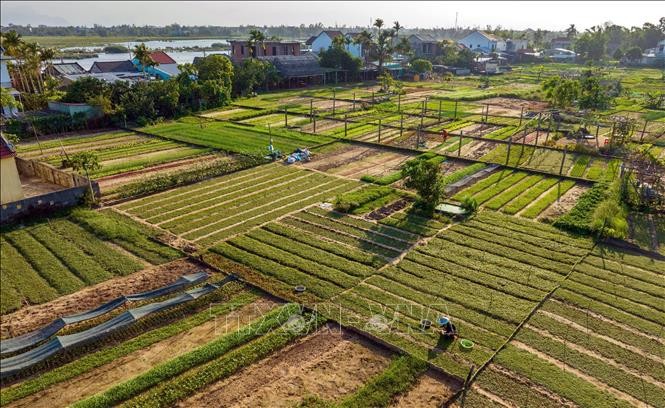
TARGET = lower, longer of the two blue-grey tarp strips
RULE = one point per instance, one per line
(12, 365)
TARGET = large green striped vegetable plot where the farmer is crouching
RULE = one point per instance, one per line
(487, 278)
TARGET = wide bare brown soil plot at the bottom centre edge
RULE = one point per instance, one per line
(329, 363)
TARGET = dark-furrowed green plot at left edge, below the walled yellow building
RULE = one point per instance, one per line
(60, 256)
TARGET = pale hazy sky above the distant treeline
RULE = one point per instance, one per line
(550, 15)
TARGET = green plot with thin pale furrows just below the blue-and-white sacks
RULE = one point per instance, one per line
(217, 209)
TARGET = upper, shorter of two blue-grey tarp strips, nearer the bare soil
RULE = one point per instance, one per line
(30, 339)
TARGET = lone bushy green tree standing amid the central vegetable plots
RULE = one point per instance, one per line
(424, 176)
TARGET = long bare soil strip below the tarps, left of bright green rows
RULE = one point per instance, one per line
(131, 365)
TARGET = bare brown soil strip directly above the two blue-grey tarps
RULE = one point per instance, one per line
(32, 317)
